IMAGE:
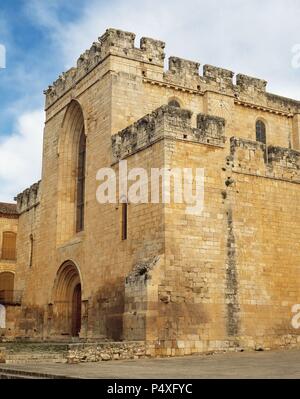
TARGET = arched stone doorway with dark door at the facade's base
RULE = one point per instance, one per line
(67, 300)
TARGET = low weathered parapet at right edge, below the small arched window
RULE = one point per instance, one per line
(256, 158)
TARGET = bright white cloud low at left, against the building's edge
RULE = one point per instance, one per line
(20, 155)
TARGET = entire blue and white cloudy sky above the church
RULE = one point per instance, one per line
(45, 37)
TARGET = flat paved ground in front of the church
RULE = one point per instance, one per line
(279, 364)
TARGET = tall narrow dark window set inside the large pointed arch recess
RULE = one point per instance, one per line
(81, 183)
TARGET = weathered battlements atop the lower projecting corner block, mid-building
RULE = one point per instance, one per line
(167, 122)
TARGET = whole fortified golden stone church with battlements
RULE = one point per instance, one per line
(227, 278)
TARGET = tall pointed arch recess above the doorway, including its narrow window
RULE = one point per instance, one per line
(73, 129)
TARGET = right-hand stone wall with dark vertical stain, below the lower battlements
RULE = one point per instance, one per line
(221, 287)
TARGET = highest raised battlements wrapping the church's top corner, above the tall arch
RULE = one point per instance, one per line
(113, 42)
